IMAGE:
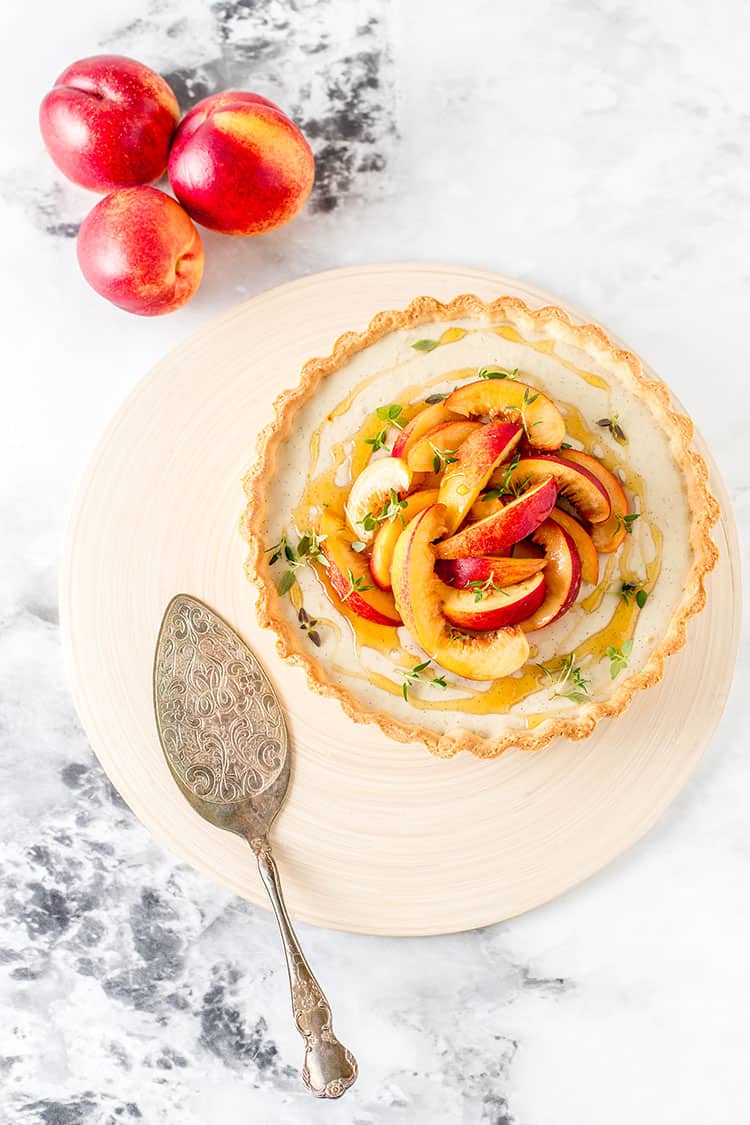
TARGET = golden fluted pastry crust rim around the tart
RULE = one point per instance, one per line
(555, 323)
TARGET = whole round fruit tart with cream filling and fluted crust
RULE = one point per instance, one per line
(478, 526)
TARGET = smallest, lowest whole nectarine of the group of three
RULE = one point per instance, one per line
(139, 249)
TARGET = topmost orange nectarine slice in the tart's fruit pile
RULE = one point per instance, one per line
(514, 401)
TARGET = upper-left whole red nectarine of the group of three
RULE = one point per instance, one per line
(109, 123)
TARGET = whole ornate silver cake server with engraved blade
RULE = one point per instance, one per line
(225, 741)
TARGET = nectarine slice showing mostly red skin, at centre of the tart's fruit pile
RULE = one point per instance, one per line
(505, 527)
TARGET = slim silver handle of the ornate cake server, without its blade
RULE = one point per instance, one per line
(330, 1068)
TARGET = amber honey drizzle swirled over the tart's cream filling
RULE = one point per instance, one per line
(503, 695)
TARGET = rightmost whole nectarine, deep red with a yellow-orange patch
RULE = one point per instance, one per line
(240, 166)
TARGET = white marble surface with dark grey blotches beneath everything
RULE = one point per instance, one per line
(598, 149)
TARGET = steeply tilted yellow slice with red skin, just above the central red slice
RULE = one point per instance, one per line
(475, 461)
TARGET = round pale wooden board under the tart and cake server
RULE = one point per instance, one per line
(375, 836)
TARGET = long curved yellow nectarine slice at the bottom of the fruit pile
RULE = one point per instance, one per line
(417, 592)
